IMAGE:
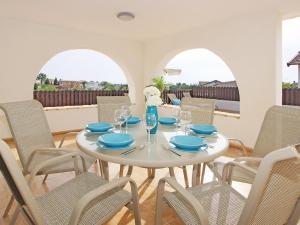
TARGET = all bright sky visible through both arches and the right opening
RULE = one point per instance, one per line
(196, 65)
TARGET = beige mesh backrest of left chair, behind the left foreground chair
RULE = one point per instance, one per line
(29, 127)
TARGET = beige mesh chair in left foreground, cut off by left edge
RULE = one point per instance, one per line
(86, 199)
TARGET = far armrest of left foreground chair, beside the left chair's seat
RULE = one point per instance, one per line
(58, 160)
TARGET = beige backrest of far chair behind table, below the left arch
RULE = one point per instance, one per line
(107, 106)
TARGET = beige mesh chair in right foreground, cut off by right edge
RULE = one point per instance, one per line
(273, 199)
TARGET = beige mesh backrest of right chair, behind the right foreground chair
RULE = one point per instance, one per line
(280, 128)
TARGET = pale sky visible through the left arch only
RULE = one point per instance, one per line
(83, 64)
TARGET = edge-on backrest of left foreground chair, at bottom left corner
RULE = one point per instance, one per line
(18, 185)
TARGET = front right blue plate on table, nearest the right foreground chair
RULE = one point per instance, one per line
(187, 142)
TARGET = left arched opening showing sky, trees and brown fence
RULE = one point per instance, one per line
(76, 77)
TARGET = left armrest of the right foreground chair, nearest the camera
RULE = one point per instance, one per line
(188, 197)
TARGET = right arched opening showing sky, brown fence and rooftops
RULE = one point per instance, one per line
(203, 74)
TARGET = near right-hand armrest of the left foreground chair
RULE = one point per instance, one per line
(89, 198)
